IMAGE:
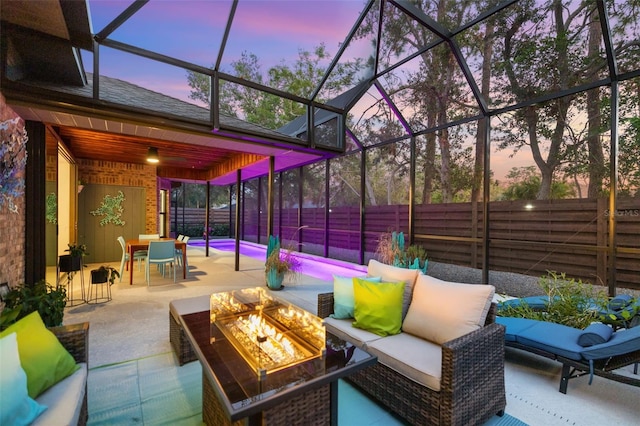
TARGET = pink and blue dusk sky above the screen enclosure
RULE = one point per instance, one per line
(192, 31)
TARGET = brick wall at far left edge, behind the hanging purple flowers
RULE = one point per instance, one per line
(12, 225)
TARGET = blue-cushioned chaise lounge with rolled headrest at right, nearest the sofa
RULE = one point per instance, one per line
(595, 350)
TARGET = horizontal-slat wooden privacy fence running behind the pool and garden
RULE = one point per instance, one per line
(527, 237)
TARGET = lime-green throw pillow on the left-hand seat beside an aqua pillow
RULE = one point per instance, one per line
(42, 356)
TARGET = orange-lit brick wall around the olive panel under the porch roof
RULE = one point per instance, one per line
(125, 174)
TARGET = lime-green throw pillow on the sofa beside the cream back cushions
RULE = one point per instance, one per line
(378, 306)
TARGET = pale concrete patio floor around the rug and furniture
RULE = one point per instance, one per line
(135, 324)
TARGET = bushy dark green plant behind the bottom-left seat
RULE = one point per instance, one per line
(48, 300)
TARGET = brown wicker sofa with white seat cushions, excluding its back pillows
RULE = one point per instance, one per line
(470, 389)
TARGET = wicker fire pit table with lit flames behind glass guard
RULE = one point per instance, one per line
(246, 381)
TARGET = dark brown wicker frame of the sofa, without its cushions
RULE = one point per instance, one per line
(472, 384)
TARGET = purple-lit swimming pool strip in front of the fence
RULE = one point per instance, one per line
(315, 266)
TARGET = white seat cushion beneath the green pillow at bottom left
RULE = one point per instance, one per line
(64, 400)
